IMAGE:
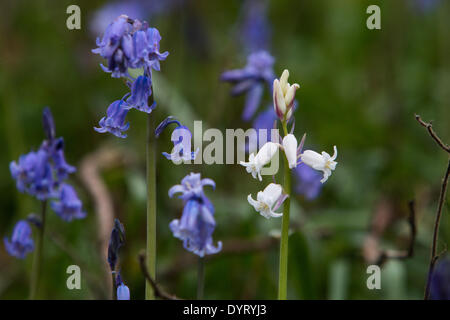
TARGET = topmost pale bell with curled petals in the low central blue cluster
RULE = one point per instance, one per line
(191, 186)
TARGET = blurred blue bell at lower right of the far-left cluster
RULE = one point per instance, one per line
(68, 206)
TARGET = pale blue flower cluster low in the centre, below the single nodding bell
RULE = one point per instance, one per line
(197, 224)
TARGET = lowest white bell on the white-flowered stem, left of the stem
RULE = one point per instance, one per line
(268, 201)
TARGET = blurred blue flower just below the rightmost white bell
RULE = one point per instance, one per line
(308, 182)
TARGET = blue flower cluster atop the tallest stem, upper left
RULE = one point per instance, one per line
(129, 44)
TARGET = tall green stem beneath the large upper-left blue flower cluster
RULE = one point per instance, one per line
(151, 203)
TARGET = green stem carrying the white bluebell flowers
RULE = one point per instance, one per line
(282, 275)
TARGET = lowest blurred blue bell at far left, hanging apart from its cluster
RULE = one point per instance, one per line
(21, 242)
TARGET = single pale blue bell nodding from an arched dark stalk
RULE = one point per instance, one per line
(181, 138)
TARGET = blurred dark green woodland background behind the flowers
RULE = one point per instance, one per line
(360, 90)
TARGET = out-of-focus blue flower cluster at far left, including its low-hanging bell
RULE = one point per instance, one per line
(42, 174)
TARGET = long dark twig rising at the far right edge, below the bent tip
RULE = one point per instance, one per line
(434, 255)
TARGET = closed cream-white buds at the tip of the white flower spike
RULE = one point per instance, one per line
(284, 96)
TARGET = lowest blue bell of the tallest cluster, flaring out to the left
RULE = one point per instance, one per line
(114, 122)
